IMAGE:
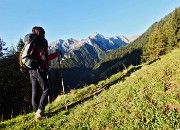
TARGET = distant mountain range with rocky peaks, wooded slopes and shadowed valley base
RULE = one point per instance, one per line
(81, 56)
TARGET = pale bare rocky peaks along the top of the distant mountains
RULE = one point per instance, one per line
(105, 43)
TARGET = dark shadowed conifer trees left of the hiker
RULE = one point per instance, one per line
(15, 87)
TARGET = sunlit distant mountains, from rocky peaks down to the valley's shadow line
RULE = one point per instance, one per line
(87, 52)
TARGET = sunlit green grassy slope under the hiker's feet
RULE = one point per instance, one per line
(148, 98)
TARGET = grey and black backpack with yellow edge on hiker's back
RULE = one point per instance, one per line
(28, 57)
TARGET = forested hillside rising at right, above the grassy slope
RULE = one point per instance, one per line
(160, 38)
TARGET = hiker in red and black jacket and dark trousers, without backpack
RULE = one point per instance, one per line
(39, 76)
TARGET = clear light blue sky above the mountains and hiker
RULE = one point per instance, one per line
(63, 19)
